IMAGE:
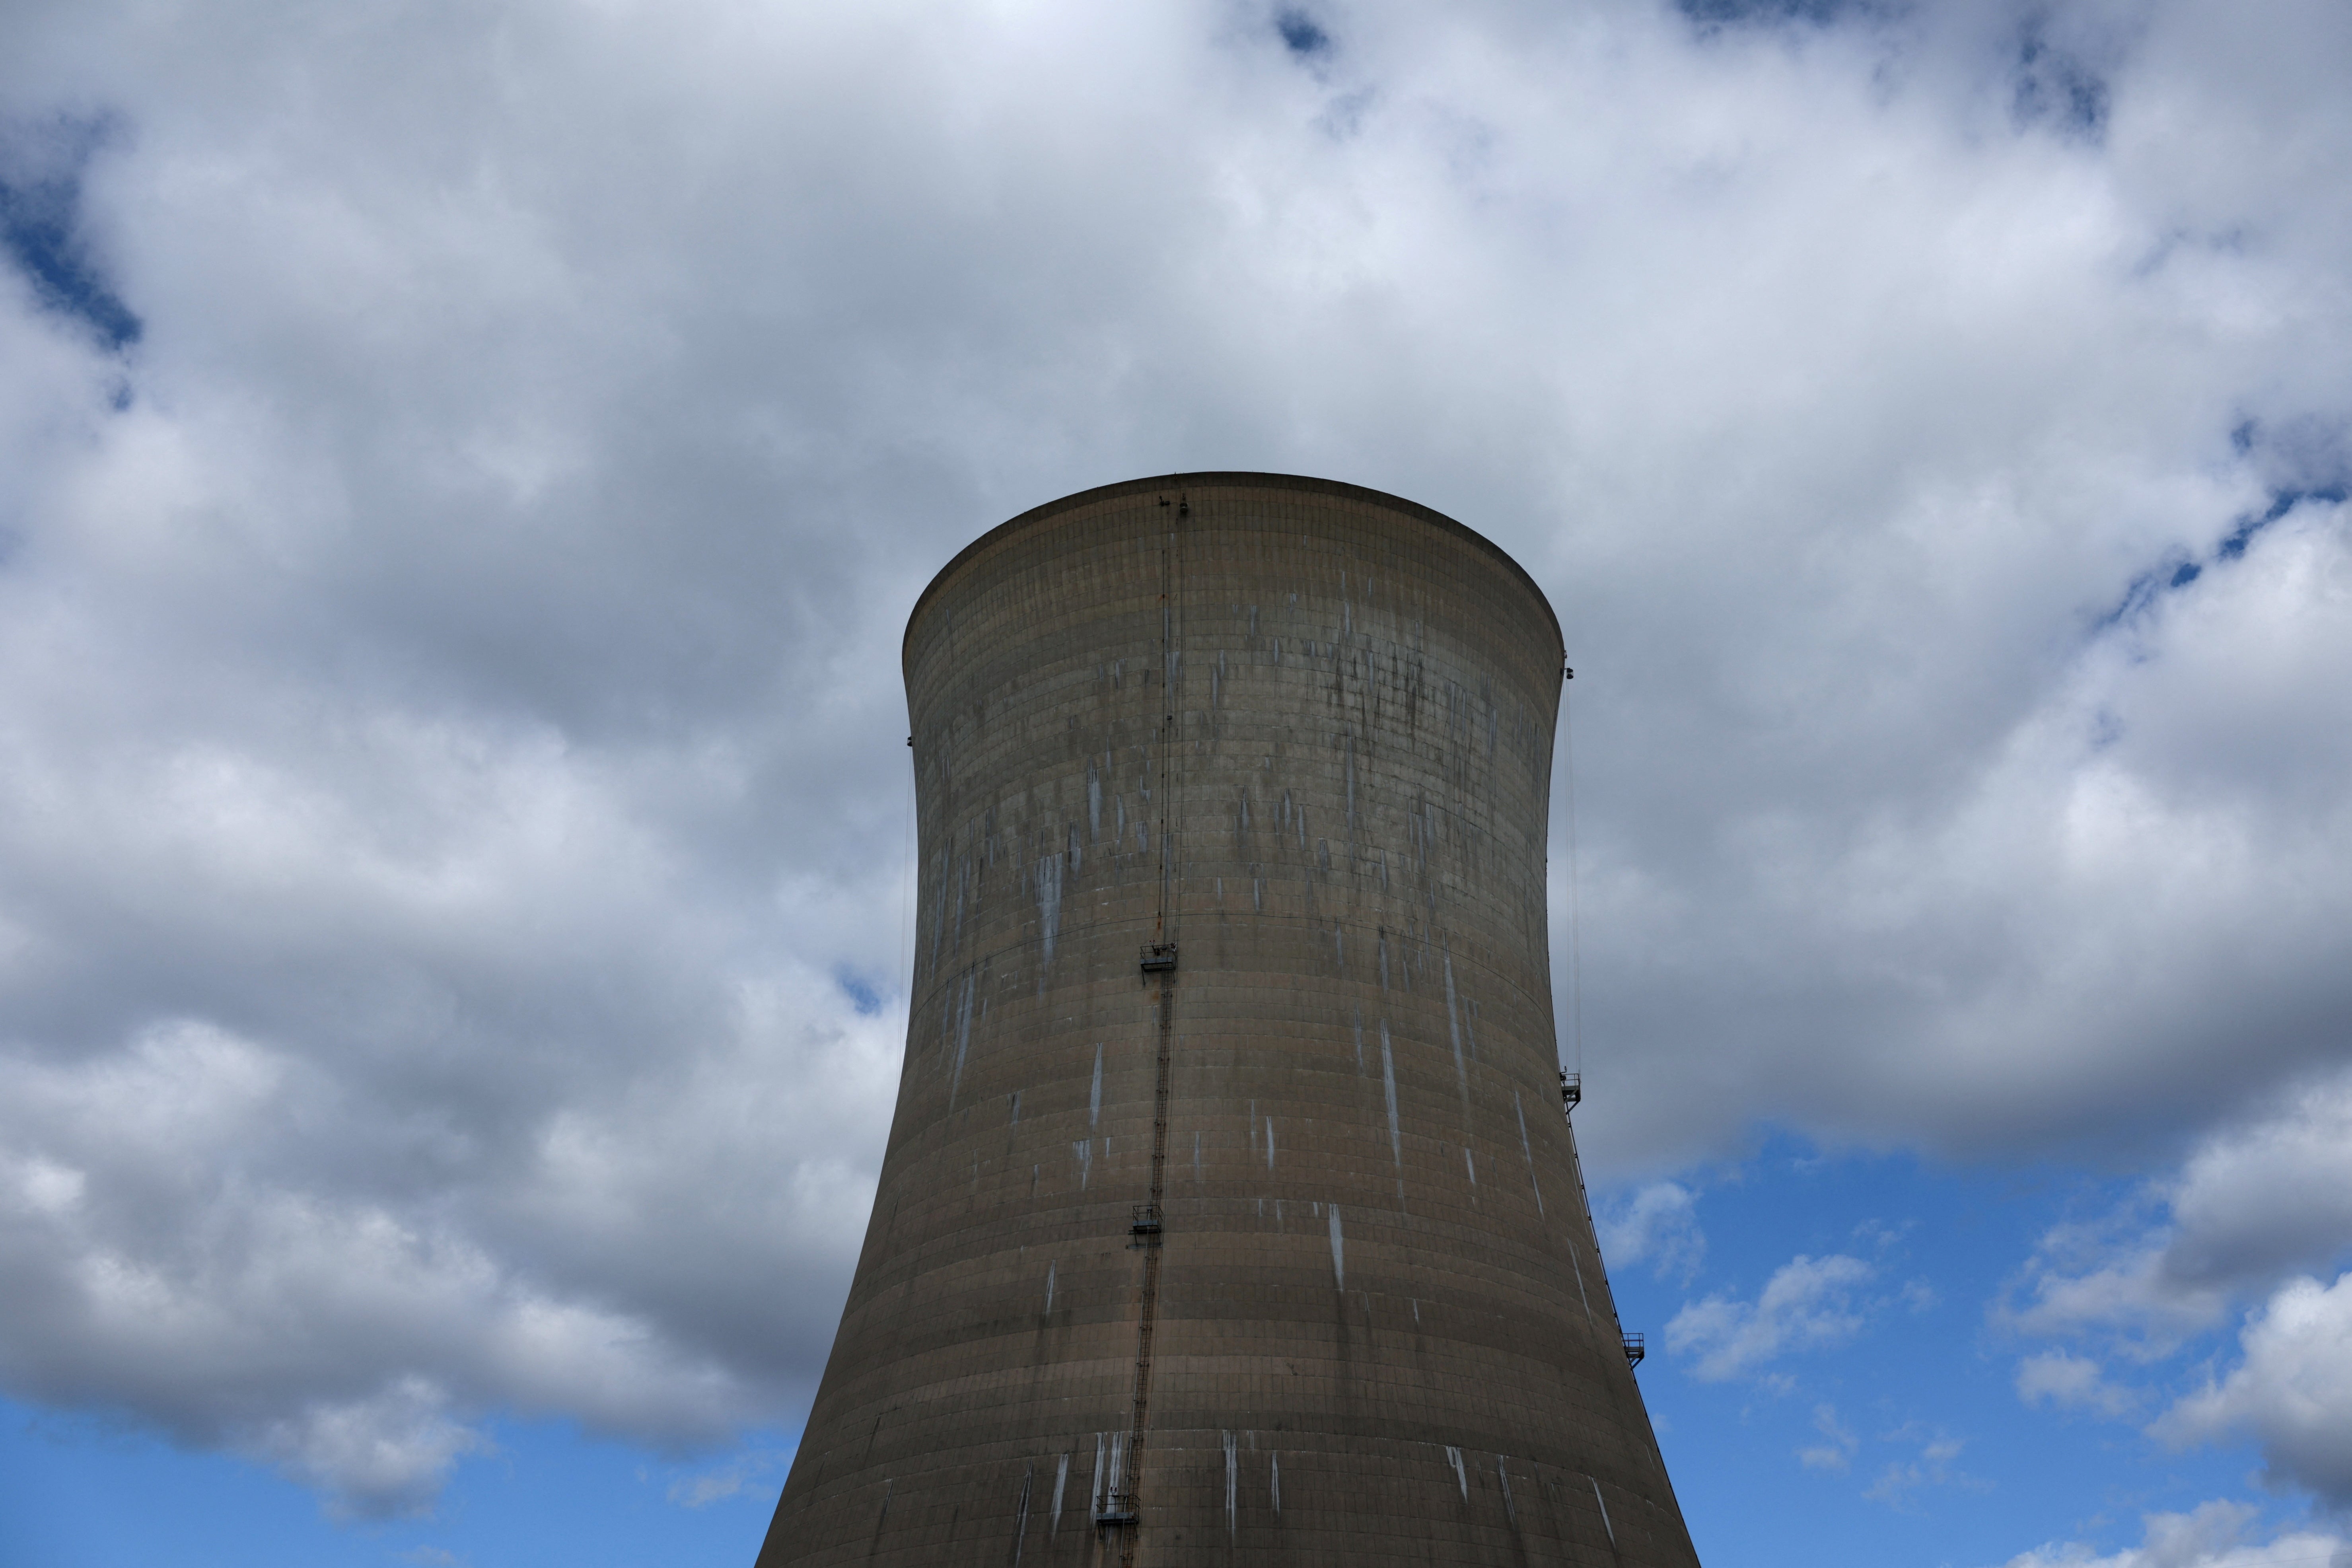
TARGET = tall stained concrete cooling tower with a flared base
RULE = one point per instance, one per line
(1229, 1212)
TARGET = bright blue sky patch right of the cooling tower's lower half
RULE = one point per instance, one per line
(1902, 1438)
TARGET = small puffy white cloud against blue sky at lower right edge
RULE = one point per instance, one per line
(2292, 1393)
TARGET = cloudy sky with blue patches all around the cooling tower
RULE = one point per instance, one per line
(465, 471)
